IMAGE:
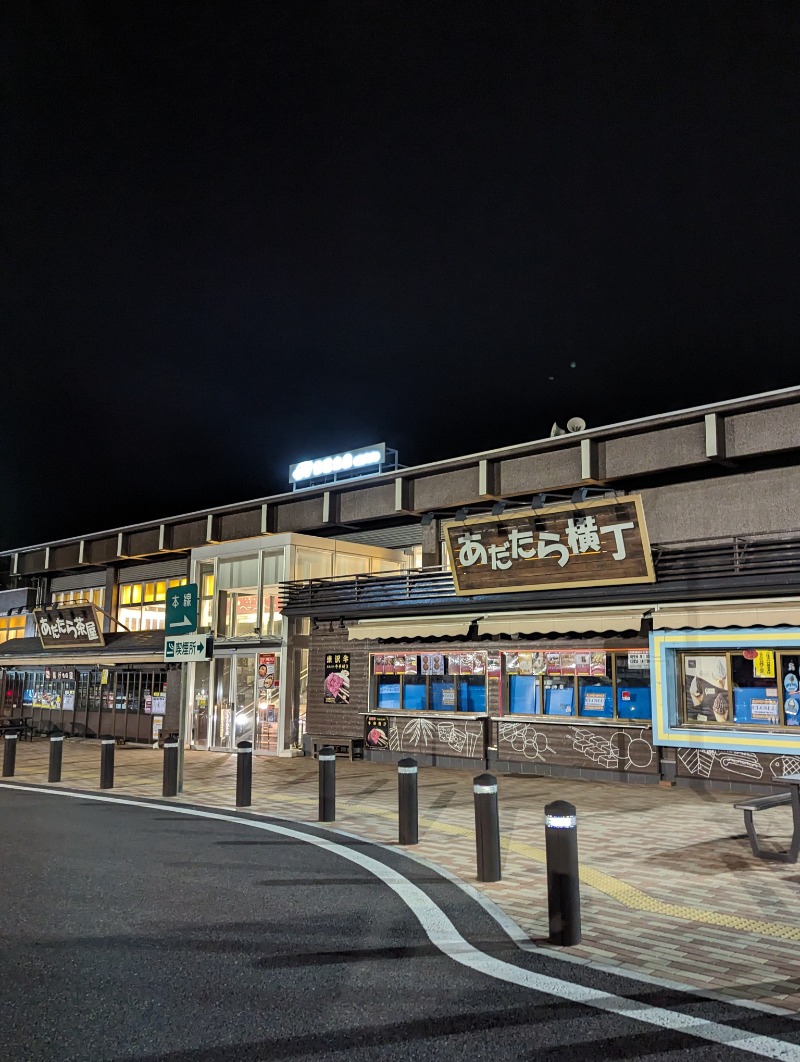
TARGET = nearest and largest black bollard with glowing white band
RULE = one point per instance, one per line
(564, 884)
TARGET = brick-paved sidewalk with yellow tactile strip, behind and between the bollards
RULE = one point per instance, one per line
(671, 888)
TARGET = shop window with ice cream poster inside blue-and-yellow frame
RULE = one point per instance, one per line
(748, 688)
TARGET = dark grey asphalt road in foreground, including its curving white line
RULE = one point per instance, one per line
(133, 933)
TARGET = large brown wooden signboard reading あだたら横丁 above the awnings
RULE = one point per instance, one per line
(595, 544)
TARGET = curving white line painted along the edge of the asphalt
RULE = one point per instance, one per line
(445, 936)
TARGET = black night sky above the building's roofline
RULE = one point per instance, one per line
(237, 235)
